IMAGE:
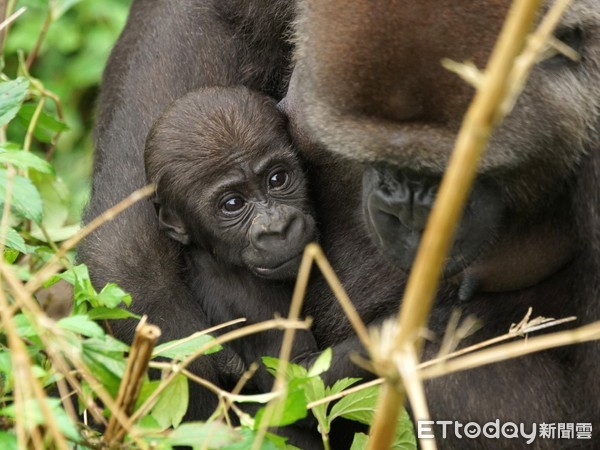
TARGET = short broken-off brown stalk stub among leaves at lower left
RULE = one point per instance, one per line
(144, 340)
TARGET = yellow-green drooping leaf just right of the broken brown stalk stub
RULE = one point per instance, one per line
(172, 403)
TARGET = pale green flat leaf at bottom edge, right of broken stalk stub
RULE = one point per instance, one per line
(210, 435)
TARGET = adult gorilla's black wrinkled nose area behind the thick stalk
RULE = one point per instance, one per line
(397, 203)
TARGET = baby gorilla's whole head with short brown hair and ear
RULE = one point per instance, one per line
(228, 180)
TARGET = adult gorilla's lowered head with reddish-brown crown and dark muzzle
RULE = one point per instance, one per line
(371, 86)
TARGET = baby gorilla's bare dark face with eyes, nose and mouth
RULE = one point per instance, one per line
(261, 218)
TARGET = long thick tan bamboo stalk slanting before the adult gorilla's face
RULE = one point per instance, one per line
(482, 116)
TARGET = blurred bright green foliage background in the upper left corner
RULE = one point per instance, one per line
(70, 62)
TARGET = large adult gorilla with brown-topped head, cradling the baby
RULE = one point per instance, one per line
(368, 92)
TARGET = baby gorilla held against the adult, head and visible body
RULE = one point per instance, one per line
(230, 189)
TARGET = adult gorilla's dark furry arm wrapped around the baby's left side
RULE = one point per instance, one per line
(168, 48)
